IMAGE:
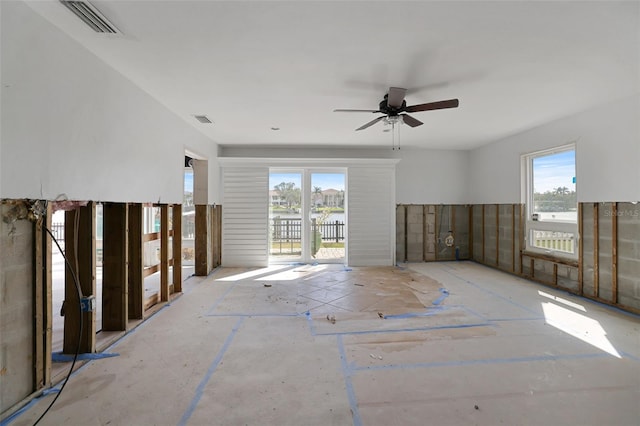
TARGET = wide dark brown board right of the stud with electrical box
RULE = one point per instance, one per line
(114, 267)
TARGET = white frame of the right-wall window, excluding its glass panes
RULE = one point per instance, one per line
(528, 201)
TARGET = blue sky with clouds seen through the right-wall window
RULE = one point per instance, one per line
(553, 171)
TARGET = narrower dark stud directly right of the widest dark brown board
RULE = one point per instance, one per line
(136, 262)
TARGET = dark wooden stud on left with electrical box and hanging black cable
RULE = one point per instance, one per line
(80, 249)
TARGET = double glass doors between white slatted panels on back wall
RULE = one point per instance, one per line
(307, 217)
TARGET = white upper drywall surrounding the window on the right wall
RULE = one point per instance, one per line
(607, 155)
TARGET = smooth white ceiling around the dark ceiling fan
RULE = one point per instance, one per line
(250, 66)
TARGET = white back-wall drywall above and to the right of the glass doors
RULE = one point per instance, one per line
(422, 175)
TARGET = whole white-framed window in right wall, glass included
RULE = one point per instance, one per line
(551, 201)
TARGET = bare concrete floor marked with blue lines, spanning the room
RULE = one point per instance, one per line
(430, 343)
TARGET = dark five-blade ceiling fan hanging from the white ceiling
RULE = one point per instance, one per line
(394, 106)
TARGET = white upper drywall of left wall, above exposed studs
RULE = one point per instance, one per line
(72, 125)
